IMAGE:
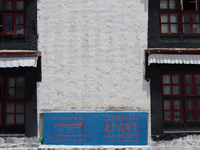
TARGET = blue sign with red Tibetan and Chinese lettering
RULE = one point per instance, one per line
(95, 128)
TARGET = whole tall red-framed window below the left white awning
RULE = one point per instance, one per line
(12, 104)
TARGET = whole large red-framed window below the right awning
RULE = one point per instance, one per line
(181, 105)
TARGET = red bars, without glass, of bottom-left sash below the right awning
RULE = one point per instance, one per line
(172, 110)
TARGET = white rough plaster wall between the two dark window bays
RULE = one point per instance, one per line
(92, 54)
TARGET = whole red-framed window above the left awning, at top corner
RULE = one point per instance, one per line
(12, 16)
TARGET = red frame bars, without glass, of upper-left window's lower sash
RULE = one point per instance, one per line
(13, 24)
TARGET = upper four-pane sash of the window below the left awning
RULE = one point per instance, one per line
(15, 88)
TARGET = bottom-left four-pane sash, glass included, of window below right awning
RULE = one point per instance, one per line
(173, 110)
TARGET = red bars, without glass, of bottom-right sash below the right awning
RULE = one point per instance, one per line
(195, 110)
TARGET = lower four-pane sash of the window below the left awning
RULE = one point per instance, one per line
(14, 113)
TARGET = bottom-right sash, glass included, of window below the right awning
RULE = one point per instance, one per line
(193, 110)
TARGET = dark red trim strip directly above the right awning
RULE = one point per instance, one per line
(175, 51)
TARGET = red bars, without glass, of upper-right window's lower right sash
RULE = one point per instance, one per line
(191, 23)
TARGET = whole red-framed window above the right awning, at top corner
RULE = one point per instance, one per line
(171, 23)
